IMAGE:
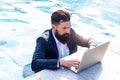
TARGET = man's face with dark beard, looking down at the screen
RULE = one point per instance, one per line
(62, 31)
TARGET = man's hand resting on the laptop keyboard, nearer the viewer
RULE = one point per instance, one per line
(69, 63)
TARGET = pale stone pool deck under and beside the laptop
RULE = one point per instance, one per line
(108, 69)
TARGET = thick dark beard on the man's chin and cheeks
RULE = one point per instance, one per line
(62, 38)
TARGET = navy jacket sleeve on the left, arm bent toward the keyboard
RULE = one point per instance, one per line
(39, 61)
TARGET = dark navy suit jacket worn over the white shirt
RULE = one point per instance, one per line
(46, 52)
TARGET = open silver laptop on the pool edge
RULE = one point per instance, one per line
(89, 57)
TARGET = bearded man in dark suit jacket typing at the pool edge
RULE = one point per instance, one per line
(56, 43)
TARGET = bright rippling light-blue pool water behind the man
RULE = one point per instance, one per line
(22, 21)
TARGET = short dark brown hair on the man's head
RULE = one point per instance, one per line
(60, 16)
